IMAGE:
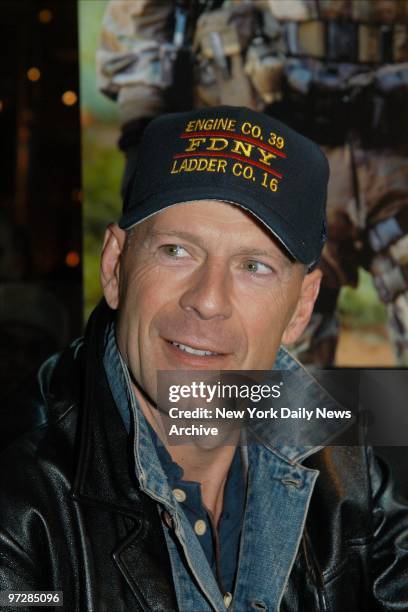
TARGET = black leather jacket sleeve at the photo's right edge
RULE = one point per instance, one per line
(390, 539)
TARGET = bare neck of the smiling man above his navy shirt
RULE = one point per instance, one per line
(207, 465)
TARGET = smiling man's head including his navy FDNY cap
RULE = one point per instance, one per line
(211, 282)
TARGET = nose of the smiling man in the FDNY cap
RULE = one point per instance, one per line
(209, 292)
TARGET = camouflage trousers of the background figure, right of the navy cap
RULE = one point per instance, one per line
(366, 187)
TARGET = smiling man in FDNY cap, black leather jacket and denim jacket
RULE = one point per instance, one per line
(211, 267)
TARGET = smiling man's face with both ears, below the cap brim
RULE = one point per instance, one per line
(202, 286)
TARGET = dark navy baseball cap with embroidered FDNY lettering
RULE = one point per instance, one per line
(239, 156)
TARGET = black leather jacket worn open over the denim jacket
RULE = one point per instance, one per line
(73, 518)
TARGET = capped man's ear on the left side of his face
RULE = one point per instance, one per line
(110, 263)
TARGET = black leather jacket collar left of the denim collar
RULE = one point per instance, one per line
(104, 446)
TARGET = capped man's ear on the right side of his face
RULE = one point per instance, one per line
(300, 318)
